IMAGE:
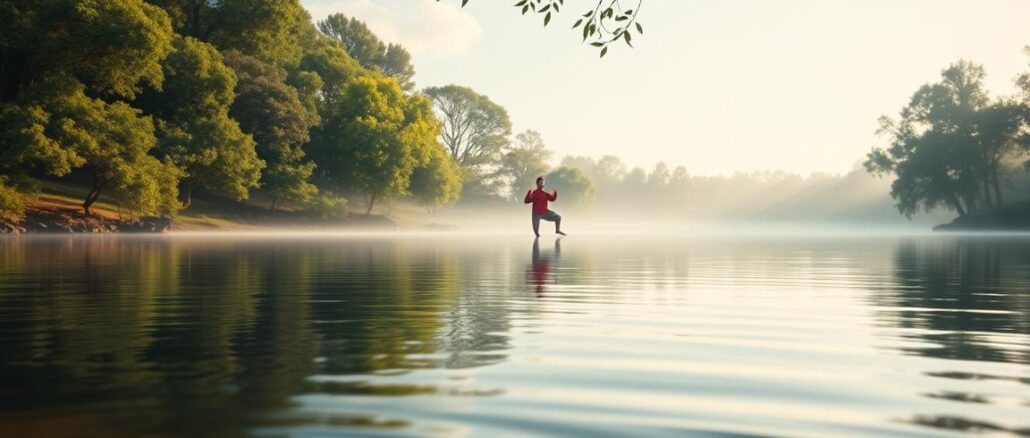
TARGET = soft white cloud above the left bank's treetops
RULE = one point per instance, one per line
(427, 28)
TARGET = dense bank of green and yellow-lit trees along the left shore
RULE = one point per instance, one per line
(136, 97)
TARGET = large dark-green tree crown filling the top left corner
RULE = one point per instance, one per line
(86, 41)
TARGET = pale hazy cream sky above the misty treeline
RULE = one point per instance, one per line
(717, 86)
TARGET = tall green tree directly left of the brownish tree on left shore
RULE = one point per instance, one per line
(196, 132)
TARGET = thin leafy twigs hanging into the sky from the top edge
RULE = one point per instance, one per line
(608, 22)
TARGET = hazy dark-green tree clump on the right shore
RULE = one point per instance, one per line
(950, 145)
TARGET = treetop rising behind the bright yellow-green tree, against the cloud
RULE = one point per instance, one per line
(368, 50)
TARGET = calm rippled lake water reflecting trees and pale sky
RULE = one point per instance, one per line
(493, 336)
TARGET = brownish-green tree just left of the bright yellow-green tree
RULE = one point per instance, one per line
(272, 112)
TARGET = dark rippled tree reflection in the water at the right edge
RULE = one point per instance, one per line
(963, 299)
